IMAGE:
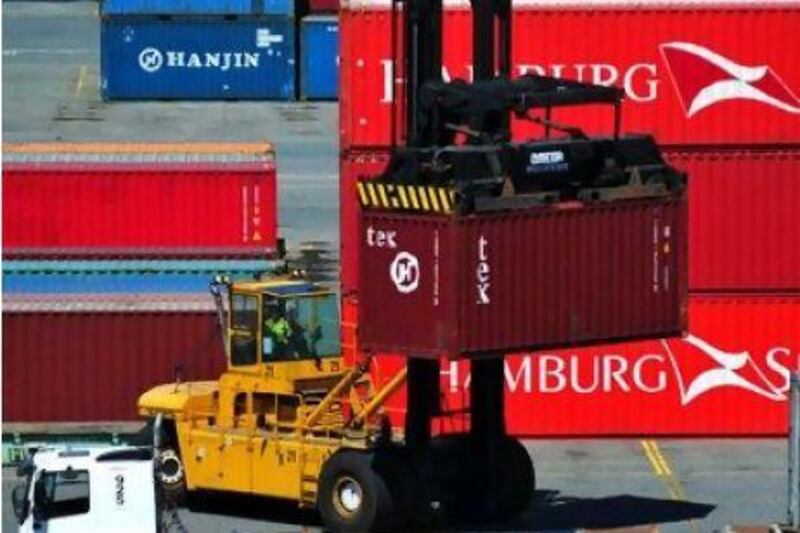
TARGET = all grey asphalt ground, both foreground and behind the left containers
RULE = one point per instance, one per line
(50, 92)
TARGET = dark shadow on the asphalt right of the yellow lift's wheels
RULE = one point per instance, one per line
(553, 511)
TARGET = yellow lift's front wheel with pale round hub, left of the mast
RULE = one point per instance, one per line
(352, 497)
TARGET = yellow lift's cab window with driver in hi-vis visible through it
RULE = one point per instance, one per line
(304, 327)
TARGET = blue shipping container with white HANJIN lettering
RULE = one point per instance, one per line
(186, 59)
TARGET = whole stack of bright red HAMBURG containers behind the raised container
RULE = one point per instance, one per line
(717, 85)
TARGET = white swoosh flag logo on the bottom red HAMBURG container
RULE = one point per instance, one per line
(724, 376)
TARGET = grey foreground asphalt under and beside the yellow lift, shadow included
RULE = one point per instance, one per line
(670, 486)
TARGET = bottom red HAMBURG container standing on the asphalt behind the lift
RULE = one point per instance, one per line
(728, 376)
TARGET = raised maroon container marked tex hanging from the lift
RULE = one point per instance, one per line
(466, 286)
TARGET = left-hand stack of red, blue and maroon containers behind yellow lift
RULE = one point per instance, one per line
(123, 212)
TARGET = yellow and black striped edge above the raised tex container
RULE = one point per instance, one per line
(399, 197)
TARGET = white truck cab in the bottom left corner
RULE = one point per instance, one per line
(90, 490)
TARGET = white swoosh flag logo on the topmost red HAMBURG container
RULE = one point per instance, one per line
(737, 88)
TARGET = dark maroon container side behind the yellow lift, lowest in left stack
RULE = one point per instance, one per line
(90, 366)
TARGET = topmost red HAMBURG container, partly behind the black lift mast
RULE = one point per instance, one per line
(721, 72)
